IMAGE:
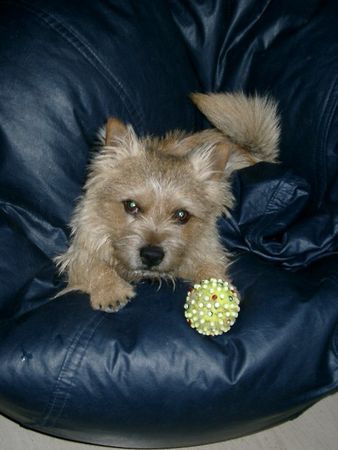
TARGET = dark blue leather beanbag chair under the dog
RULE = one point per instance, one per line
(143, 377)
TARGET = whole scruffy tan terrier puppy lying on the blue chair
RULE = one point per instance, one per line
(151, 204)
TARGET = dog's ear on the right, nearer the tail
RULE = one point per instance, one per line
(210, 160)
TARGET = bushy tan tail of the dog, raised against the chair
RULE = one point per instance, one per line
(250, 122)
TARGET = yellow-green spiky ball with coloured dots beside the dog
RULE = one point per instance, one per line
(212, 307)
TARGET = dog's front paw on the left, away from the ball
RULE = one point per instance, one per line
(112, 298)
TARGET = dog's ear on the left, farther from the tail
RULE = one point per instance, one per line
(121, 139)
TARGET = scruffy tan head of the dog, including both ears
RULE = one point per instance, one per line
(157, 197)
